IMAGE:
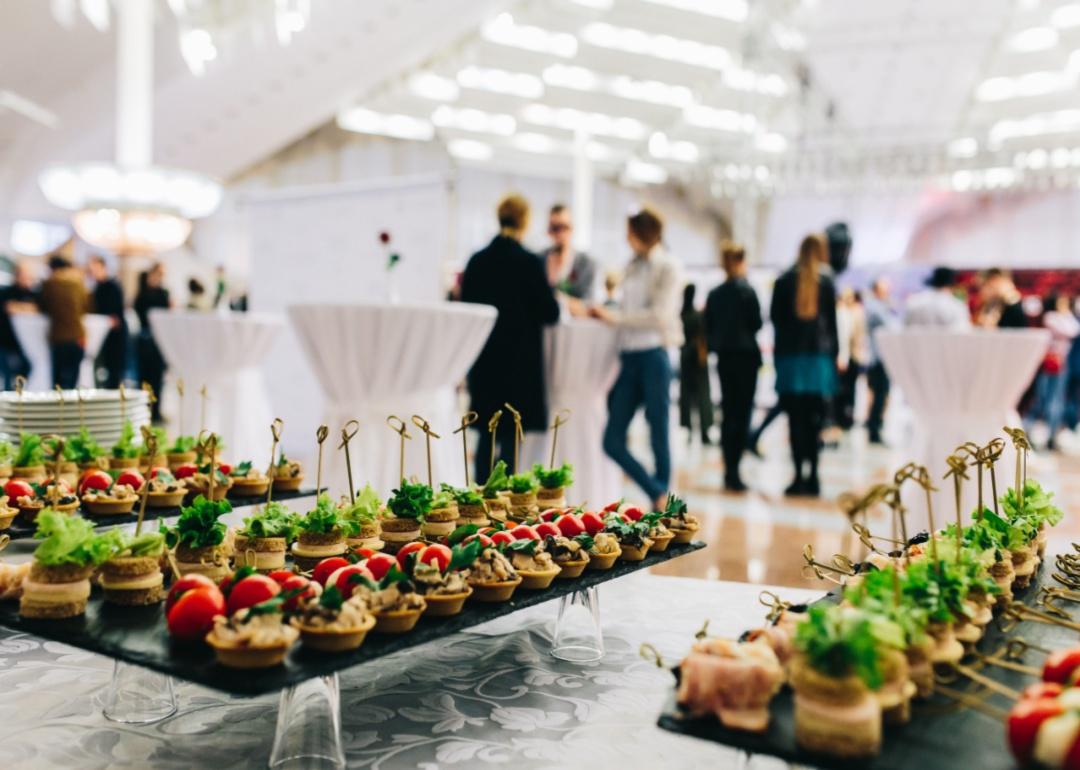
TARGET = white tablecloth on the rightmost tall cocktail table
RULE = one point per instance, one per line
(962, 386)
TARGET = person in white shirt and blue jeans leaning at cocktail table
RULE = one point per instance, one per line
(649, 323)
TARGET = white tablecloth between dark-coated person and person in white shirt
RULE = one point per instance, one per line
(583, 360)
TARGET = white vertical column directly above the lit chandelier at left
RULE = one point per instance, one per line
(134, 83)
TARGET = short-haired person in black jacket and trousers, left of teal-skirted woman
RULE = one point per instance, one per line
(733, 320)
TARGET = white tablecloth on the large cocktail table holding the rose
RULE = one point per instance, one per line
(379, 360)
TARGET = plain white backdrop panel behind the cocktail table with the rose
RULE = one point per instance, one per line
(320, 245)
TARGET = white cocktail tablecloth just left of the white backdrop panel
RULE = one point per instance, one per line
(223, 352)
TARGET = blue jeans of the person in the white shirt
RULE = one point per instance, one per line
(644, 381)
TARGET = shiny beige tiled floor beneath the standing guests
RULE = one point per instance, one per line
(759, 537)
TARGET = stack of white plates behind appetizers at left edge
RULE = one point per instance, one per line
(48, 413)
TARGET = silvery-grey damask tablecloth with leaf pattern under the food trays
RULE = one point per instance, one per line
(490, 698)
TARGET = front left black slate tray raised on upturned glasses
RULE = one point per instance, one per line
(139, 636)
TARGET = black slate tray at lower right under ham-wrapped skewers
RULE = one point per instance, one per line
(942, 736)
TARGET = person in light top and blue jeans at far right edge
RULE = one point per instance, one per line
(1049, 406)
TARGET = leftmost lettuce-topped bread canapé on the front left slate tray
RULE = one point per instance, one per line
(59, 582)
